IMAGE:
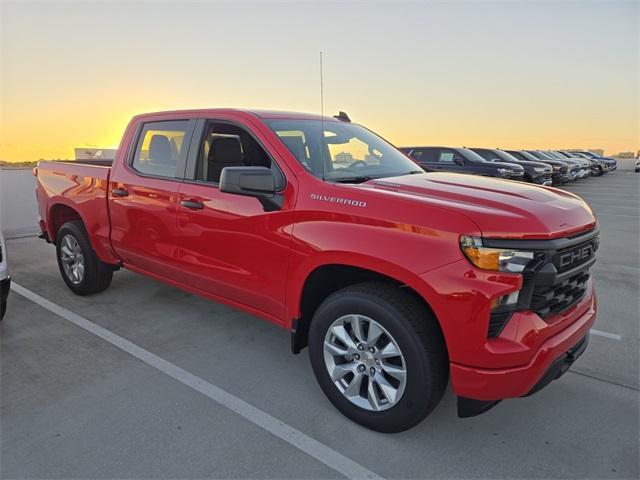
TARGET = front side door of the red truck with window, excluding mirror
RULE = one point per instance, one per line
(230, 247)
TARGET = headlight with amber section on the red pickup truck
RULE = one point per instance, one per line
(498, 259)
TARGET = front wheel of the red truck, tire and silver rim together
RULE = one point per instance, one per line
(379, 356)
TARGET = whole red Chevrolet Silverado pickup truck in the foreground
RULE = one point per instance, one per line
(396, 279)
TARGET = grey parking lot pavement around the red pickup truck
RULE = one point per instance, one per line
(220, 395)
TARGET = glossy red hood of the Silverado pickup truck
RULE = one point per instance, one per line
(500, 208)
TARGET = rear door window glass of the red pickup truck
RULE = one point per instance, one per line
(160, 146)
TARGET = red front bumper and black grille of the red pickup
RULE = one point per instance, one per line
(504, 352)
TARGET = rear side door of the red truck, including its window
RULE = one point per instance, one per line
(143, 195)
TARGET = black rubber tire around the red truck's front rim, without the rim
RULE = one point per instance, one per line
(418, 336)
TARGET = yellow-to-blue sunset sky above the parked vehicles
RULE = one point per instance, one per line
(497, 74)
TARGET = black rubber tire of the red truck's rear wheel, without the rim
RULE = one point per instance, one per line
(97, 274)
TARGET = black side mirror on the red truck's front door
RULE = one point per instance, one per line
(258, 182)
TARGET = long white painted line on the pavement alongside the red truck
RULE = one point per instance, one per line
(295, 438)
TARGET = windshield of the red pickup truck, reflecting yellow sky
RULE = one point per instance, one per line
(341, 152)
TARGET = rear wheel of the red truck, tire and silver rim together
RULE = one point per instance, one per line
(82, 271)
